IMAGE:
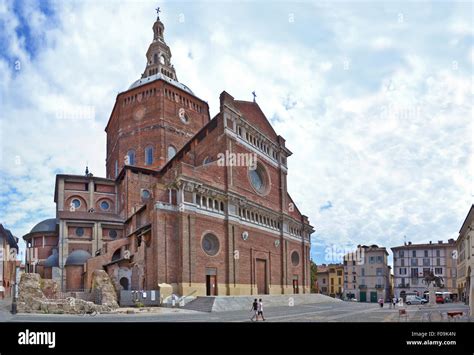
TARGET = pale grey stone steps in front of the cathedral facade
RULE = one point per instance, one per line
(240, 303)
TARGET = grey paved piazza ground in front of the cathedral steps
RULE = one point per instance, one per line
(322, 312)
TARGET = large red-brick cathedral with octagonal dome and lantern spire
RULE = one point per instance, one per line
(172, 212)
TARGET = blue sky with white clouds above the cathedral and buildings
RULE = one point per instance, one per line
(373, 98)
